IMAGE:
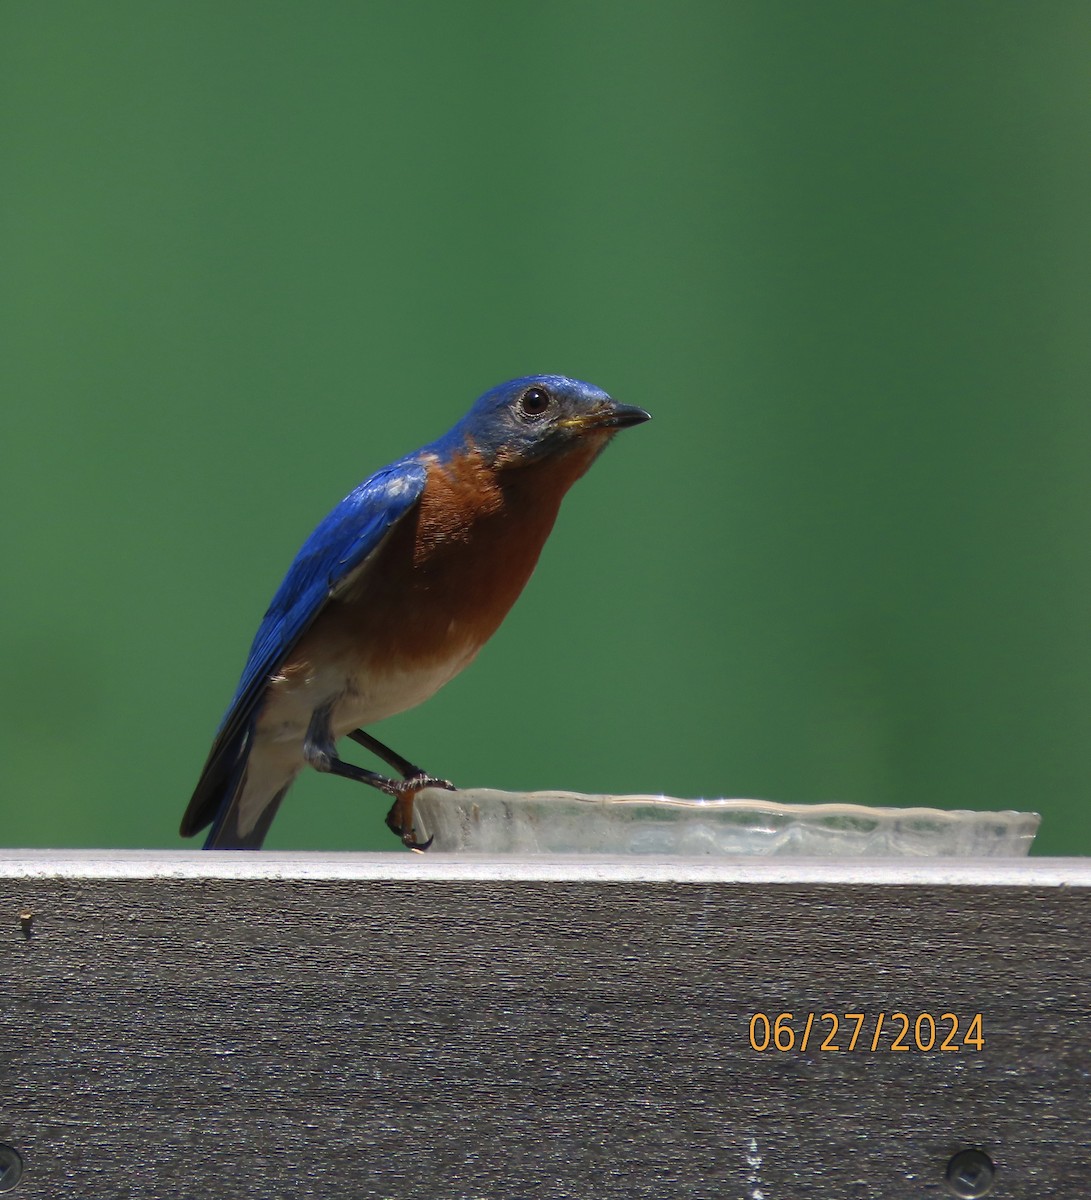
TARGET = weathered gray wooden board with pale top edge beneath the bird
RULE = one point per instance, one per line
(357, 1027)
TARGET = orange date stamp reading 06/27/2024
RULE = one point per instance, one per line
(873, 1034)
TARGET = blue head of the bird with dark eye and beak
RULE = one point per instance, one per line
(539, 417)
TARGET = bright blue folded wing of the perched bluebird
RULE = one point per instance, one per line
(341, 543)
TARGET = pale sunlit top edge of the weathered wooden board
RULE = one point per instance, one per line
(397, 866)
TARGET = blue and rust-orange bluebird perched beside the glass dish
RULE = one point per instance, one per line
(393, 596)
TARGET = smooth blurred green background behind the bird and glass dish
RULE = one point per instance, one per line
(253, 251)
